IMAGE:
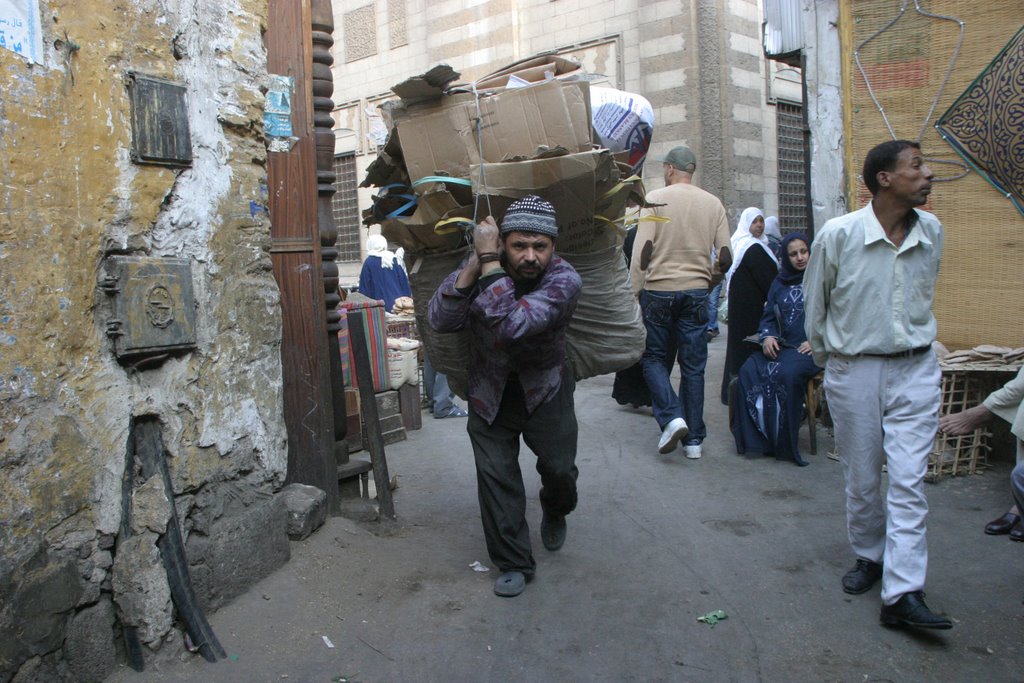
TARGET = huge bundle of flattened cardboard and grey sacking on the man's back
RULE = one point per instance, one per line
(459, 153)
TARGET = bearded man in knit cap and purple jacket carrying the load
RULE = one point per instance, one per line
(517, 298)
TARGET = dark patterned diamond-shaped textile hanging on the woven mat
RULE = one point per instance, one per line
(986, 125)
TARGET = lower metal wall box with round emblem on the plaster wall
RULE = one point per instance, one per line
(153, 307)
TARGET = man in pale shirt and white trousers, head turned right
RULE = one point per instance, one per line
(869, 289)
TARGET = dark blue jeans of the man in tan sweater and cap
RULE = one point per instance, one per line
(681, 317)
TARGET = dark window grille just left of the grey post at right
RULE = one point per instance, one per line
(792, 172)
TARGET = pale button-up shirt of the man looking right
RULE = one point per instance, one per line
(866, 295)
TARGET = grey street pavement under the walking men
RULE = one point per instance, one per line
(657, 542)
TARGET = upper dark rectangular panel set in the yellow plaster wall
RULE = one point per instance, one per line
(159, 121)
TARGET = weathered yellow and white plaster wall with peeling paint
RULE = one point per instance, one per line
(70, 196)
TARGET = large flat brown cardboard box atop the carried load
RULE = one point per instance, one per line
(511, 123)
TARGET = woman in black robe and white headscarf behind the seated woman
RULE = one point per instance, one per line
(747, 284)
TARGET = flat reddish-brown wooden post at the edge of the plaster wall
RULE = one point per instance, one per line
(296, 259)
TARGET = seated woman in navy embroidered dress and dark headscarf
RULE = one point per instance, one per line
(770, 394)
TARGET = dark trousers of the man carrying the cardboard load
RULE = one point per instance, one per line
(551, 435)
